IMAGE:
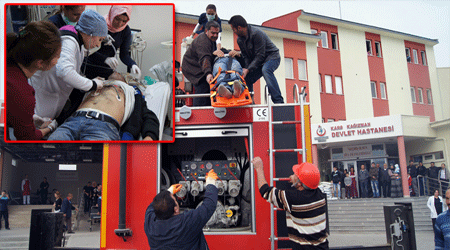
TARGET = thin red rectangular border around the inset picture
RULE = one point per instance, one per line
(134, 141)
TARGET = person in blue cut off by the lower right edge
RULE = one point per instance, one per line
(442, 227)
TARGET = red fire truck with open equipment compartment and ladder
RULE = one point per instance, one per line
(225, 139)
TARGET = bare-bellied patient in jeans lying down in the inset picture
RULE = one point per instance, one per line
(115, 112)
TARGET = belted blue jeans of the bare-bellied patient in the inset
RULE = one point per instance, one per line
(85, 129)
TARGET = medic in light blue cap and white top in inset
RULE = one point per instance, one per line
(53, 87)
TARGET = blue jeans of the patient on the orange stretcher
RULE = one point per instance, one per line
(222, 63)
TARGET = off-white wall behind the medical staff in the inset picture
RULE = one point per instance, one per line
(156, 23)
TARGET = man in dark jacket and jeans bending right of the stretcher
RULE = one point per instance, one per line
(261, 56)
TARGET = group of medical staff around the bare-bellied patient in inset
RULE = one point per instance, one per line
(52, 66)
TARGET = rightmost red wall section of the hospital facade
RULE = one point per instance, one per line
(419, 77)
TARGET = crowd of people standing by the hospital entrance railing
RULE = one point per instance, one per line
(386, 181)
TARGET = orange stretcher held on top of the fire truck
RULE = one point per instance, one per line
(223, 102)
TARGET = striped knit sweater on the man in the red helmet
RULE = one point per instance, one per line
(305, 214)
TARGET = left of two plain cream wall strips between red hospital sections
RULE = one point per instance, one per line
(355, 74)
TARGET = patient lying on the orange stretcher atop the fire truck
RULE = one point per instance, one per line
(229, 84)
